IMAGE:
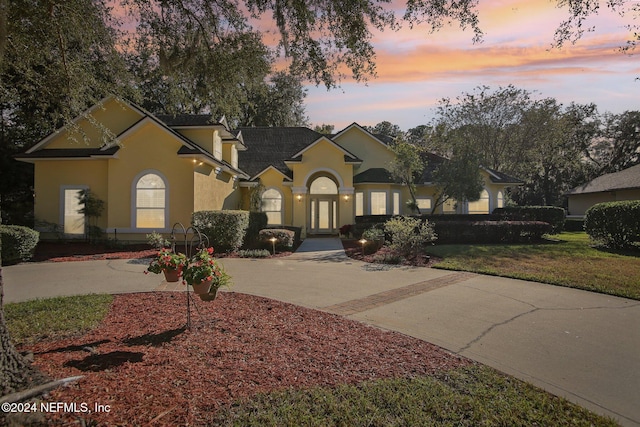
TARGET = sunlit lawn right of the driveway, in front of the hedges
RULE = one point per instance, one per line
(567, 260)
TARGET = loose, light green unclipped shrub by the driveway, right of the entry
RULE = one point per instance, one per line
(409, 236)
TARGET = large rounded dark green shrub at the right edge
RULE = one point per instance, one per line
(614, 224)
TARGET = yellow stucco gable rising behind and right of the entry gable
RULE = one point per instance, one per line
(371, 152)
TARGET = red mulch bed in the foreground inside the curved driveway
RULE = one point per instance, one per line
(149, 369)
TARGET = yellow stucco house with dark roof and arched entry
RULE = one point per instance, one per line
(154, 171)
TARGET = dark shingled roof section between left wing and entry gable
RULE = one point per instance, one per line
(271, 146)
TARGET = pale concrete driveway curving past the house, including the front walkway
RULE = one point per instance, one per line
(576, 344)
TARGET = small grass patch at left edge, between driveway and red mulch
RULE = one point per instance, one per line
(55, 317)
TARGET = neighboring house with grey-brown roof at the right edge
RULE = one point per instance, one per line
(612, 187)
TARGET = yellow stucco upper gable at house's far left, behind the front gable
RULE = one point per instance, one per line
(114, 115)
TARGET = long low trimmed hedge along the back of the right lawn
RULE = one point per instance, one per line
(490, 231)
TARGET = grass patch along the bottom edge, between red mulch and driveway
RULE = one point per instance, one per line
(470, 396)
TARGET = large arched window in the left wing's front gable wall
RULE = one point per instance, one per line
(150, 201)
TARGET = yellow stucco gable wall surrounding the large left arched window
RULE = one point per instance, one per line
(150, 149)
